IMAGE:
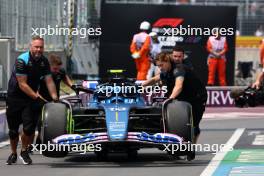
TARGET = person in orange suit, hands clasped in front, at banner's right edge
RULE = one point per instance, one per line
(217, 47)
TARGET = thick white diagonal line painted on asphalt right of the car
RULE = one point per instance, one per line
(215, 162)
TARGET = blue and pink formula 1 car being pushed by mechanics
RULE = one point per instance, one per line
(116, 120)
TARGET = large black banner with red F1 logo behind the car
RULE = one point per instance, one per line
(189, 26)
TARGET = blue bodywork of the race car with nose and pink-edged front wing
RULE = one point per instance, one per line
(117, 107)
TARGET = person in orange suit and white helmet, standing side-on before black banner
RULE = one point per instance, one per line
(140, 48)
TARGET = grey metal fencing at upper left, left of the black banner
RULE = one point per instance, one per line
(19, 19)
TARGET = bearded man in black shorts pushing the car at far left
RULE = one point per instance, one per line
(23, 101)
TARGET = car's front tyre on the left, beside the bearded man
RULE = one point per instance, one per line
(54, 124)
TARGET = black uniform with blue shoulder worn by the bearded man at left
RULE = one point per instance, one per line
(20, 107)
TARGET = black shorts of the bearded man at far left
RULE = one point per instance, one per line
(21, 111)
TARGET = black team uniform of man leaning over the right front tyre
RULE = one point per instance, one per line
(193, 90)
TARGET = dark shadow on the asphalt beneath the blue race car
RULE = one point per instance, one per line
(121, 160)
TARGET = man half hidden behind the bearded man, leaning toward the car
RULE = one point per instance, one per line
(58, 75)
